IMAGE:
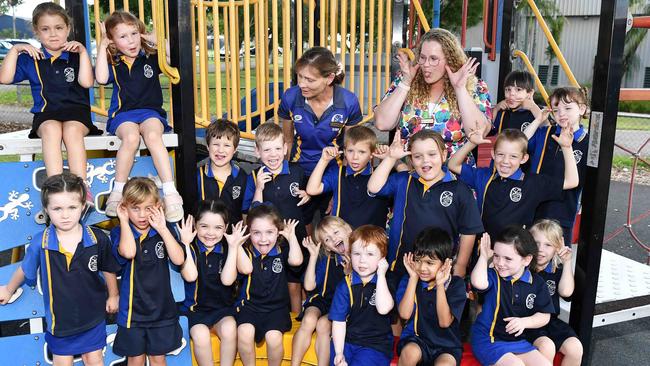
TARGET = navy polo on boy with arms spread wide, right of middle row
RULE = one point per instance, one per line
(512, 200)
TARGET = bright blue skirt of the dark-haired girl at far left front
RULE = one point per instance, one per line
(87, 341)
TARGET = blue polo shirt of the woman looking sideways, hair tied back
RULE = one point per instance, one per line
(313, 133)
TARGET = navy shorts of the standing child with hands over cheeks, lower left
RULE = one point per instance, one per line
(130, 342)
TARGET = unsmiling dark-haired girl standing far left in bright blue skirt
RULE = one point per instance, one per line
(68, 252)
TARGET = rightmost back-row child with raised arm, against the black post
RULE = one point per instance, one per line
(569, 107)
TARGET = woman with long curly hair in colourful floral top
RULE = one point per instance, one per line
(438, 92)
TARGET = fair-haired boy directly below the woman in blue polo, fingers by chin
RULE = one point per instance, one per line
(281, 183)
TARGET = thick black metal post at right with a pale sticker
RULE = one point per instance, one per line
(608, 72)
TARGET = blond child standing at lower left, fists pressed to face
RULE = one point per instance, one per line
(143, 244)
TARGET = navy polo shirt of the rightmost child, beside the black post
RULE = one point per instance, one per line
(546, 158)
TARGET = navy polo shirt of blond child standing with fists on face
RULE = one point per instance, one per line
(146, 299)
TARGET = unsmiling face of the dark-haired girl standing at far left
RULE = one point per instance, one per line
(64, 209)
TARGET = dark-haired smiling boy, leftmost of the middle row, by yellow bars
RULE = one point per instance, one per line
(222, 179)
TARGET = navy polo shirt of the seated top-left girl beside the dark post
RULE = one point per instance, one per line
(135, 86)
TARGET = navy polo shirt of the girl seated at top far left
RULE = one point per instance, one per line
(53, 80)
